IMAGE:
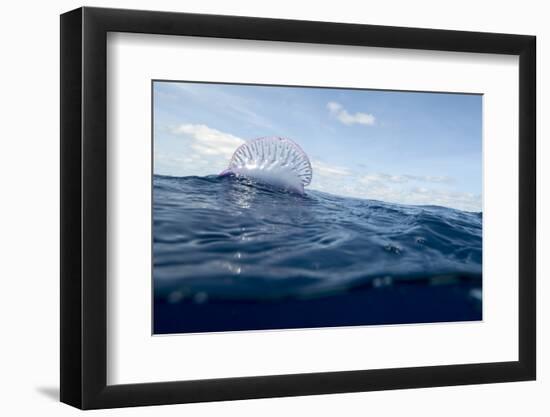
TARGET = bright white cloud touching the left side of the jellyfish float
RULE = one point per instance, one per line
(207, 141)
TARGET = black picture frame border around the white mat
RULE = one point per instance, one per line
(84, 207)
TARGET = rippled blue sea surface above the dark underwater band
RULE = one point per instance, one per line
(210, 230)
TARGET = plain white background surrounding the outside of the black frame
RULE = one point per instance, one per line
(29, 302)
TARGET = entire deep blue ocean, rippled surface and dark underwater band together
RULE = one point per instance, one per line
(230, 254)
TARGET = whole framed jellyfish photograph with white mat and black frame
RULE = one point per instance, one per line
(257, 207)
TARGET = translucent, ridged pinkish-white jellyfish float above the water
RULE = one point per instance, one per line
(274, 161)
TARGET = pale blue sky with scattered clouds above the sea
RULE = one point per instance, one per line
(400, 147)
